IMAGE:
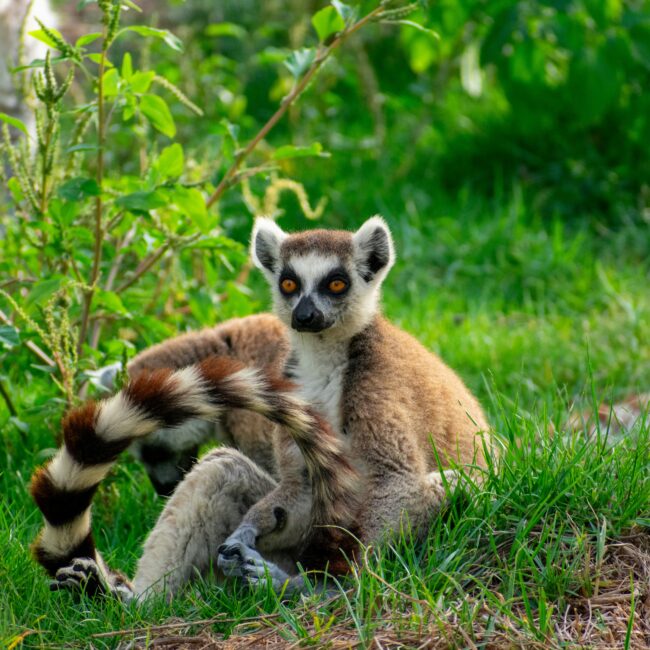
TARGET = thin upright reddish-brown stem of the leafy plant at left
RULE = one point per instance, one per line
(88, 296)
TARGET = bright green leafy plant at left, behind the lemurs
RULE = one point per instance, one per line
(83, 237)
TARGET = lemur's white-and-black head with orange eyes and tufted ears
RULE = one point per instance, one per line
(324, 280)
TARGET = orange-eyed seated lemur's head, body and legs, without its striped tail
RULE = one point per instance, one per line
(396, 413)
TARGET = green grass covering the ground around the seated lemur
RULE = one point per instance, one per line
(533, 316)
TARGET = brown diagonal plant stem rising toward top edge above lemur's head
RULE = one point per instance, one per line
(296, 91)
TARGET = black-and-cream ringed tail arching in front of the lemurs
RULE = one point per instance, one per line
(96, 433)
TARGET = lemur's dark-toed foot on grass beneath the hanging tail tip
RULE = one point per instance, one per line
(85, 575)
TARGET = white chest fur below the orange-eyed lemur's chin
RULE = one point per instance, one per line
(319, 368)
